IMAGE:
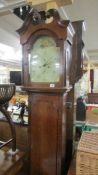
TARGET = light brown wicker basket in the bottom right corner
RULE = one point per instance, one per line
(87, 154)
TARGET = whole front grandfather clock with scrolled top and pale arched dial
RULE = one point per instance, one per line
(46, 65)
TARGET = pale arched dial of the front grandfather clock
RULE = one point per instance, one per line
(44, 64)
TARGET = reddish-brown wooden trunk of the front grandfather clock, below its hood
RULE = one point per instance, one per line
(47, 133)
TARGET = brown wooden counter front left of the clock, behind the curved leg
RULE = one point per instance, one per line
(21, 135)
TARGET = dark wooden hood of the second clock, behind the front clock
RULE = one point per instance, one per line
(77, 52)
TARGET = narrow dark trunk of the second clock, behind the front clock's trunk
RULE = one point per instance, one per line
(70, 129)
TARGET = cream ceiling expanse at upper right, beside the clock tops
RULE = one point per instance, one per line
(86, 10)
